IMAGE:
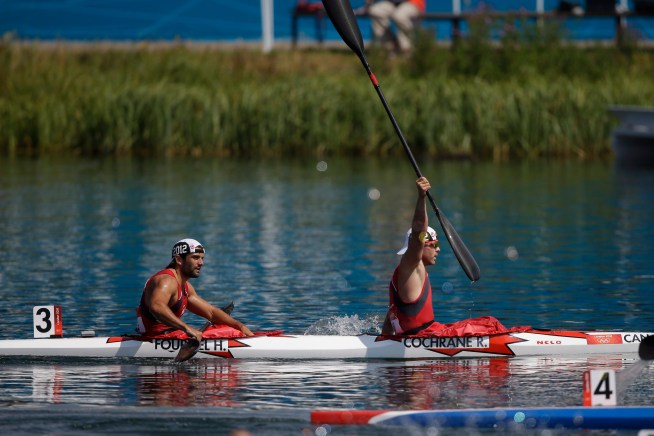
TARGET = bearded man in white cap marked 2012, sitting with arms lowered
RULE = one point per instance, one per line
(168, 293)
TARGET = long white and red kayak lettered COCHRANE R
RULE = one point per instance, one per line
(529, 343)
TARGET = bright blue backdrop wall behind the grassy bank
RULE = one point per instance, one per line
(228, 20)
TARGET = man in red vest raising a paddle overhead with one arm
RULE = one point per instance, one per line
(410, 309)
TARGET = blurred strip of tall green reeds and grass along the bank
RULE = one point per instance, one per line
(525, 93)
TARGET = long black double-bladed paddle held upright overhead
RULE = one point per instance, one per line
(342, 16)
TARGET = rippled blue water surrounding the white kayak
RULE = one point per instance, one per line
(305, 246)
